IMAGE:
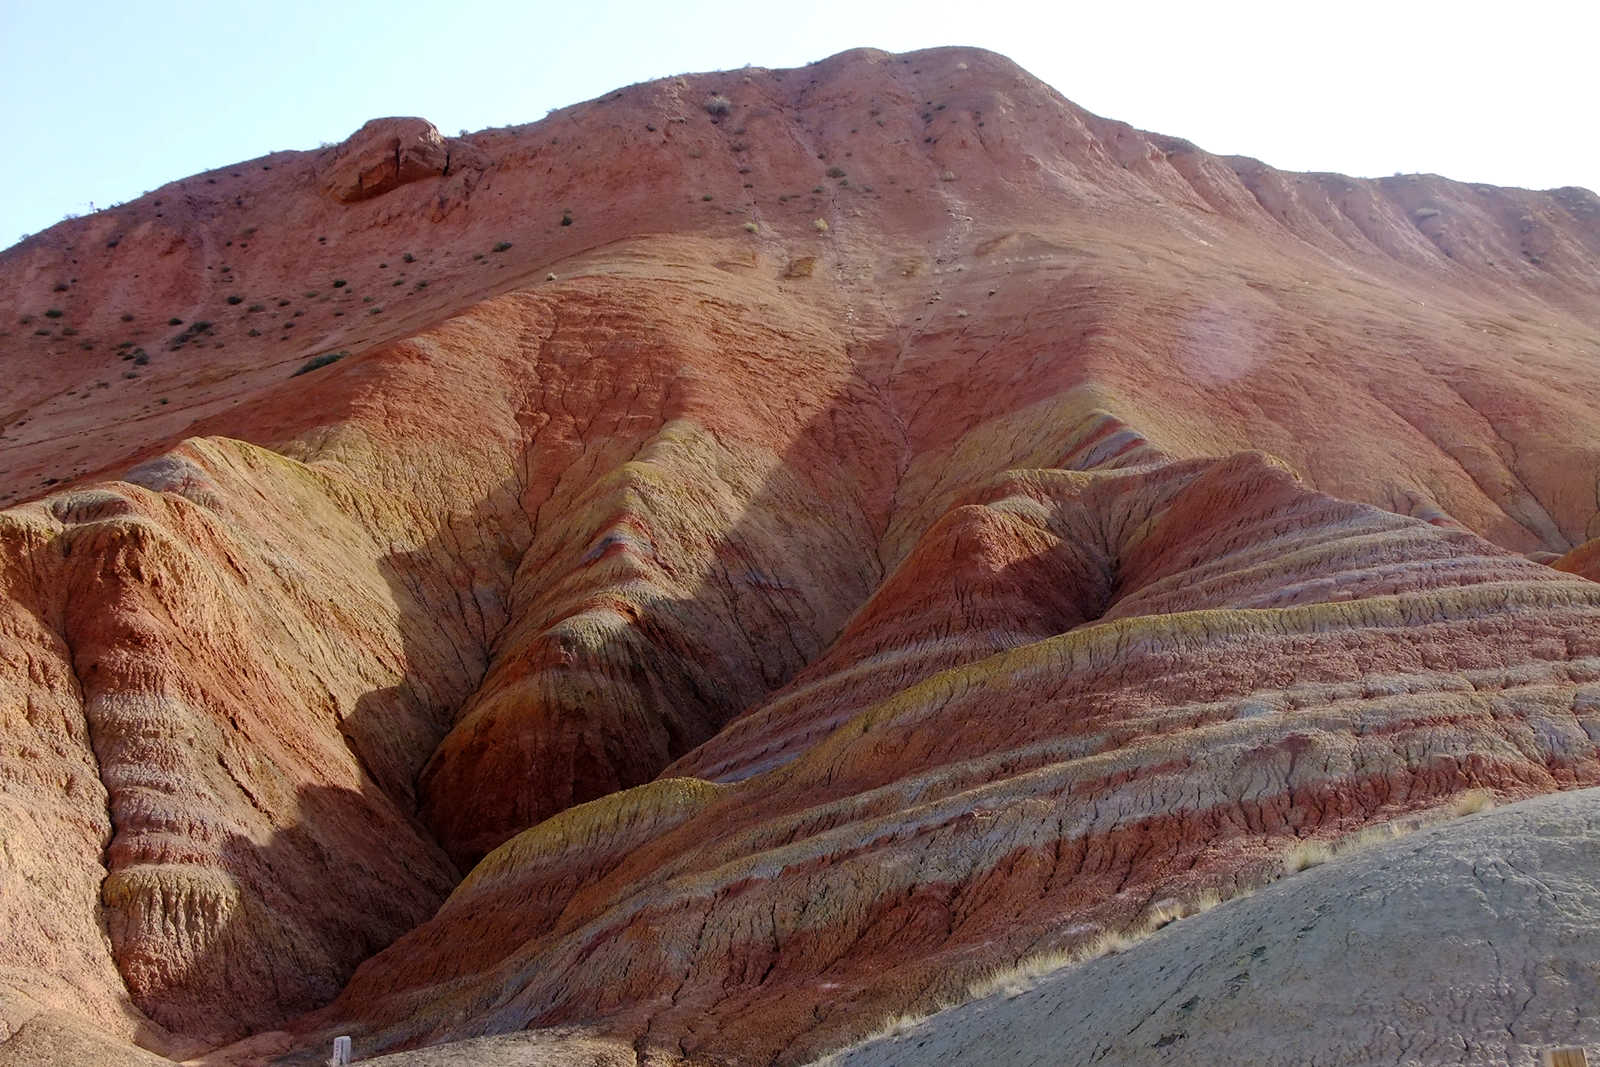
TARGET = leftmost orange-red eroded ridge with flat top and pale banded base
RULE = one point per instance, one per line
(252, 730)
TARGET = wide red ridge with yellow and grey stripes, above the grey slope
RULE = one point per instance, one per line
(1238, 665)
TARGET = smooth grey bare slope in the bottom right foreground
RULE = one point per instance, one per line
(1476, 941)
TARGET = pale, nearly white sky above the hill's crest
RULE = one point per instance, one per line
(105, 100)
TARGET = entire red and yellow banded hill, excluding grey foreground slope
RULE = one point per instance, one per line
(775, 546)
